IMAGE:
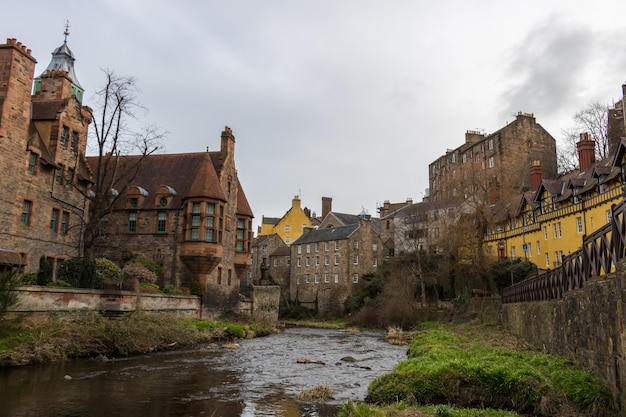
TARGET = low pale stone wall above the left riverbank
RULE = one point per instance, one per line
(34, 299)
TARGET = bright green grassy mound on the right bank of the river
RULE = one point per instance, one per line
(473, 370)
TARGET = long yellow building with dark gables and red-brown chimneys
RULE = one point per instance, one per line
(550, 222)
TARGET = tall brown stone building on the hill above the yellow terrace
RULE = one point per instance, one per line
(492, 166)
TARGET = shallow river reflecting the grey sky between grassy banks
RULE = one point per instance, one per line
(261, 377)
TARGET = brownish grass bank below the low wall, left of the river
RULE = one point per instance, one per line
(38, 339)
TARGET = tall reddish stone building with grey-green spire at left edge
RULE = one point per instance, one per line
(43, 137)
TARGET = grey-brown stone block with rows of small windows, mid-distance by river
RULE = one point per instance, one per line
(328, 263)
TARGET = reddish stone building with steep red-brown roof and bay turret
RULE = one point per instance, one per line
(190, 213)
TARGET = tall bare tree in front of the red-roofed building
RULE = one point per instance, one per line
(114, 133)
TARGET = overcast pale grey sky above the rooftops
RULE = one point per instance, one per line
(349, 99)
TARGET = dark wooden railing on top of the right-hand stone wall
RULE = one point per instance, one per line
(599, 254)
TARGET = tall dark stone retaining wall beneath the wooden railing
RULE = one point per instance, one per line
(587, 326)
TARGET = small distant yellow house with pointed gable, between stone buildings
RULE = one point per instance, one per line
(290, 226)
